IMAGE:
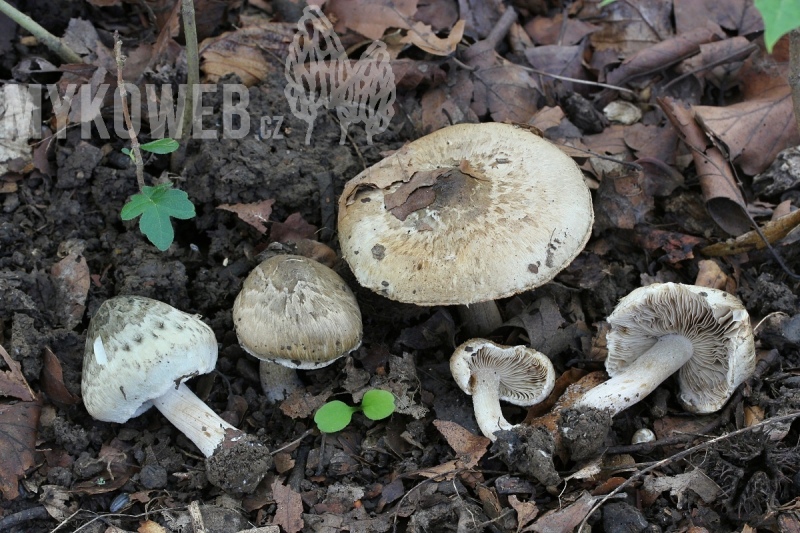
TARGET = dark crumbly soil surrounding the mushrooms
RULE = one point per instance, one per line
(90, 475)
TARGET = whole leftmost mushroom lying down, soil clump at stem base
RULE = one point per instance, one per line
(139, 352)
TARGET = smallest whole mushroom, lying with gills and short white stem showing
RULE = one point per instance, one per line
(492, 372)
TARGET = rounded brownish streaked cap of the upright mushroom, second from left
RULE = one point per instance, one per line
(296, 312)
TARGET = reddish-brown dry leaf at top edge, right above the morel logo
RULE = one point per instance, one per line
(371, 18)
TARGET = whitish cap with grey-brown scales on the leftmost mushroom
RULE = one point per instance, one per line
(136, 350)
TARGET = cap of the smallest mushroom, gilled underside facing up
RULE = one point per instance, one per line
(525, 375)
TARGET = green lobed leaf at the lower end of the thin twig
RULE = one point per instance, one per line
(156, 205)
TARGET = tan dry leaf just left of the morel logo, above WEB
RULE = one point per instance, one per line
(240, 52)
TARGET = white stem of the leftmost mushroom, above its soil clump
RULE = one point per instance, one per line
(193, 418)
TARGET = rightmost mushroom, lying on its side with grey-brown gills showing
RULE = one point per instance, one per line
(703, 334)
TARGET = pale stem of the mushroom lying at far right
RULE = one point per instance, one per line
(641, 377)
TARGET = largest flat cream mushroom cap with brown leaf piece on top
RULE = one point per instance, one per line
(469, 213)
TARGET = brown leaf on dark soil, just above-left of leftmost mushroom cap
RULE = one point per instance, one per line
(71, 279)
